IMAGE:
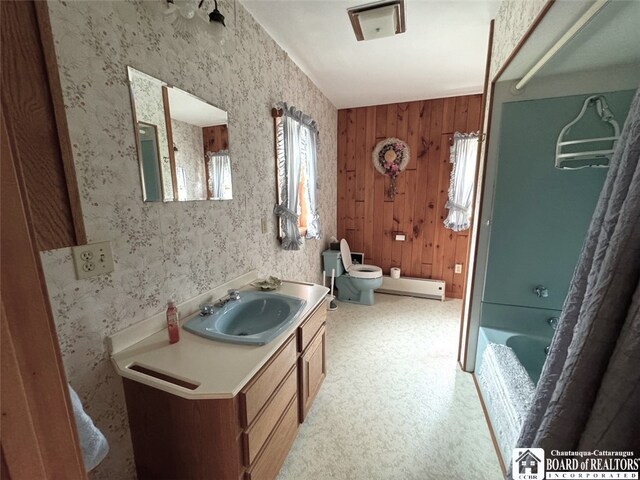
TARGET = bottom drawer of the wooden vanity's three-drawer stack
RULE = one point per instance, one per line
(270, 461)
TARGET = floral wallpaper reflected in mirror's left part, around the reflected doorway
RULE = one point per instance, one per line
(149, 108)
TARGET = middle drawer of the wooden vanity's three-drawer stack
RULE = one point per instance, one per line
(256, 436)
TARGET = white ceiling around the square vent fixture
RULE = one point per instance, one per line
(442, 53)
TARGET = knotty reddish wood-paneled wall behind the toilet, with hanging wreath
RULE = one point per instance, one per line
(368, 218)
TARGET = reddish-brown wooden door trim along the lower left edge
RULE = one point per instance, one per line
(30, 340)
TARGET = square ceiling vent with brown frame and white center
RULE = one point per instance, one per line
(378, 20)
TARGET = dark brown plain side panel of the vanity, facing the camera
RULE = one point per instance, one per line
(178, 438)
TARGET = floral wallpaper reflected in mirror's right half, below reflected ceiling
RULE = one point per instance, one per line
(190, 157)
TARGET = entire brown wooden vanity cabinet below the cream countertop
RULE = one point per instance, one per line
(246, 437)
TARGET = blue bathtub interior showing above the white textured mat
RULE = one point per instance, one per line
(530, 349)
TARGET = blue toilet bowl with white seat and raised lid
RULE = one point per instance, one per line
(358, 282)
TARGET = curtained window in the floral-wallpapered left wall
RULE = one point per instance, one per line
(296, 155)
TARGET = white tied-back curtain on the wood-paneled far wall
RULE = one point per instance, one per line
(464, 154)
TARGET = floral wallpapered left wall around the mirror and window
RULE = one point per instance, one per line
(178, 249)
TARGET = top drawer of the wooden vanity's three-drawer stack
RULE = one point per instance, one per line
(258, 391)
